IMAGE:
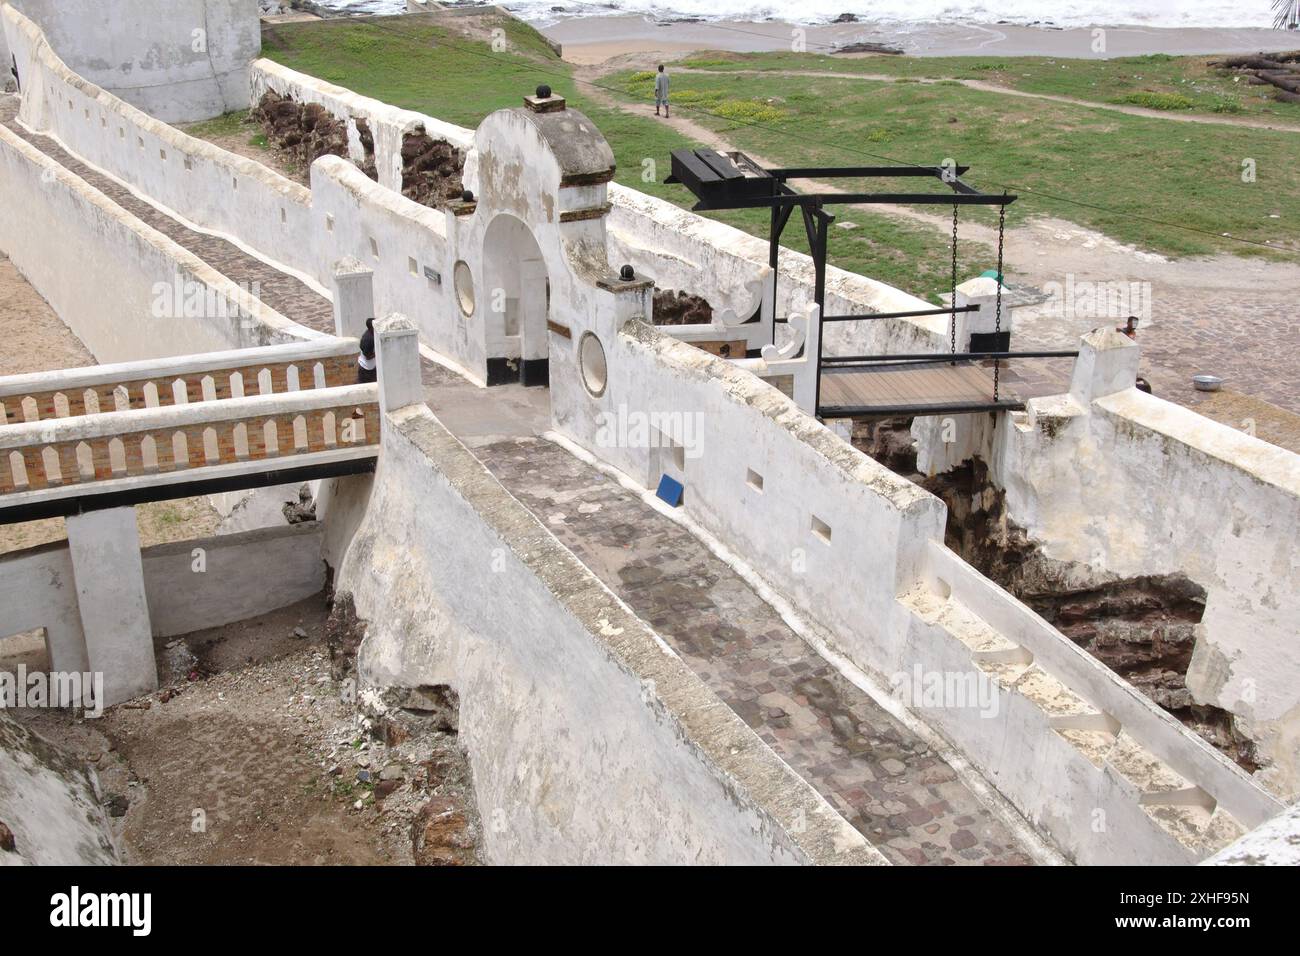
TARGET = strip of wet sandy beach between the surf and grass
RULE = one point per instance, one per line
(595, 40)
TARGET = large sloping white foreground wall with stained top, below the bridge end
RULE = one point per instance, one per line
(591, 742)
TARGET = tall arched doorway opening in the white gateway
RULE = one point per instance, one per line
(517, 305)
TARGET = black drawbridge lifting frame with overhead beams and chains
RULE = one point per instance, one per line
(735, 181)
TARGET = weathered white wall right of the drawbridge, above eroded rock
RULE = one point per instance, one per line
(1130, 486)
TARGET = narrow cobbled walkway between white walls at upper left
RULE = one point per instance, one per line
(284, 293)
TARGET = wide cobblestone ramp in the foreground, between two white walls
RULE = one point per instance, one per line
(885, 781)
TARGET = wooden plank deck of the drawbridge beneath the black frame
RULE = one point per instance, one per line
(911, 388)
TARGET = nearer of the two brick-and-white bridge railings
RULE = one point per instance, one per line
(38, 456)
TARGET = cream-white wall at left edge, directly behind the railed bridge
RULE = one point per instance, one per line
(112, 279)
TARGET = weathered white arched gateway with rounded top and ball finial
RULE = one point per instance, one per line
(534, 276)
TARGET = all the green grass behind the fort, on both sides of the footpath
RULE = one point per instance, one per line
(1142, 168)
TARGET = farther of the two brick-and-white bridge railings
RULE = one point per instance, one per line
(183, 380)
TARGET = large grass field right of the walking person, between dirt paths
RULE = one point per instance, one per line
(1138, 168)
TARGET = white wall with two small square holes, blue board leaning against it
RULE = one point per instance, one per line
(734, 434)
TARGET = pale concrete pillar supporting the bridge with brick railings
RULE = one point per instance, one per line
(115, 613)
